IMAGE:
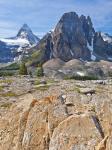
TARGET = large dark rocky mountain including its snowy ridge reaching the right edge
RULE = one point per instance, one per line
(74, 37)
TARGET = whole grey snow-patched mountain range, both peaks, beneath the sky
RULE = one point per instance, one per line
(74, 37)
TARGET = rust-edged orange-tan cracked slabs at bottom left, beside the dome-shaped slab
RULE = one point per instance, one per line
(32, 127)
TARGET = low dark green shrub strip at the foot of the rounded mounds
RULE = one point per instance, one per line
(82, 78)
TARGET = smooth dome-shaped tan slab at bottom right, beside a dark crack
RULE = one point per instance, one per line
(73, 134)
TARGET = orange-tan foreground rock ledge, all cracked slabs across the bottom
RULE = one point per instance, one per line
(46, 125)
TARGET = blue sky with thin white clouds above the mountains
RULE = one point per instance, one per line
(42, 15)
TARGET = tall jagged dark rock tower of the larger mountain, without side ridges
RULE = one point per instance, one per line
(70, 37)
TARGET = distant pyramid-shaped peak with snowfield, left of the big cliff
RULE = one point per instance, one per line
(12, 49)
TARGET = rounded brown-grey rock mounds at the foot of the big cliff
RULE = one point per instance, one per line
(58, 68)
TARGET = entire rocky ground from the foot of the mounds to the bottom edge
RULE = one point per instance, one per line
(55, 114)
